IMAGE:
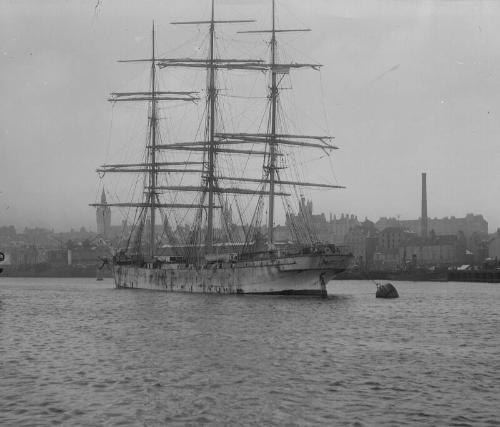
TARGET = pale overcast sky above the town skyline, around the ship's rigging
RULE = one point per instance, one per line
(408, 87)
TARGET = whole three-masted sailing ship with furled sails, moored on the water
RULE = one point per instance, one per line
(209, 253)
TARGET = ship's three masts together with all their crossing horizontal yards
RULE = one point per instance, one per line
(215, 143)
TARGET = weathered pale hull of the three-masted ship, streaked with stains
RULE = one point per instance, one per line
(305, 275)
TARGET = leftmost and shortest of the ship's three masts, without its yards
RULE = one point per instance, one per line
(153, 127)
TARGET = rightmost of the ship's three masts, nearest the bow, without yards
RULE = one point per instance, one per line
(272, 140)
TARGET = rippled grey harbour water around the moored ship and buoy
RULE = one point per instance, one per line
(79, 352)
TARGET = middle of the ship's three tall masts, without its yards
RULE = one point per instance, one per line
(212, 93)
